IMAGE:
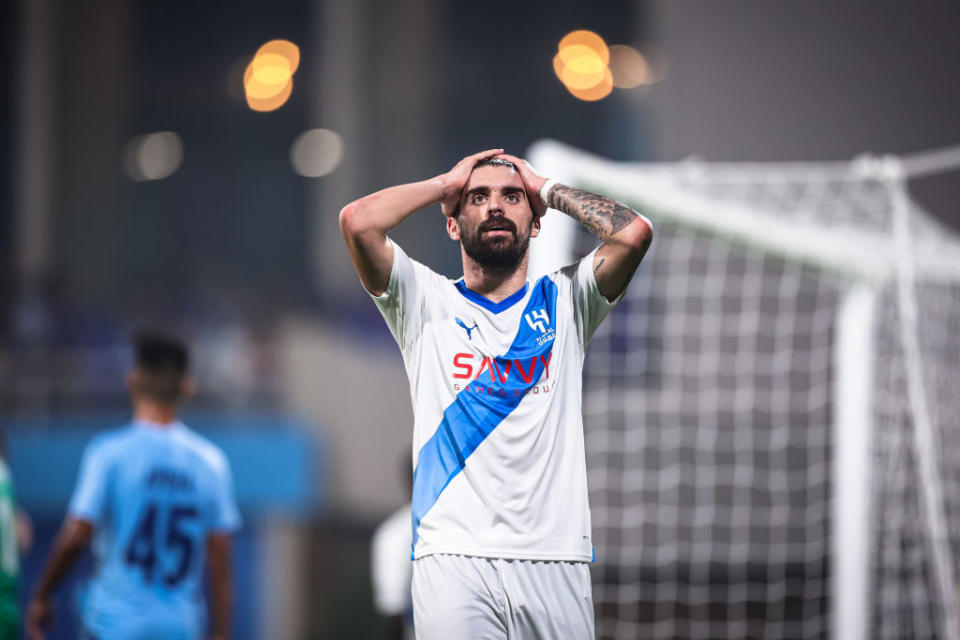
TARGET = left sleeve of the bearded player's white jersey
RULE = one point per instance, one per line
(402, 302)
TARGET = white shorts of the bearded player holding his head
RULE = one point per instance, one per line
(492, 598)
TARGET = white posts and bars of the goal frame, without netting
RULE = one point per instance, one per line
(862, 261)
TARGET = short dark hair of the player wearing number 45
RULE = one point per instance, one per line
(162, 361)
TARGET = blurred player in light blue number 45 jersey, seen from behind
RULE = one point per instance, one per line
(157, 501)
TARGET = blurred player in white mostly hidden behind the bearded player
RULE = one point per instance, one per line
(391, 568)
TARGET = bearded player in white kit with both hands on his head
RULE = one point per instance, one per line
(501, 525)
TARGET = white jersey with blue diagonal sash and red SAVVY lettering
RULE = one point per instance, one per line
(499, 468)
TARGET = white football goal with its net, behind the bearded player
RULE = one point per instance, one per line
(772, 415)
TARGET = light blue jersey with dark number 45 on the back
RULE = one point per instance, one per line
(154, 493)
